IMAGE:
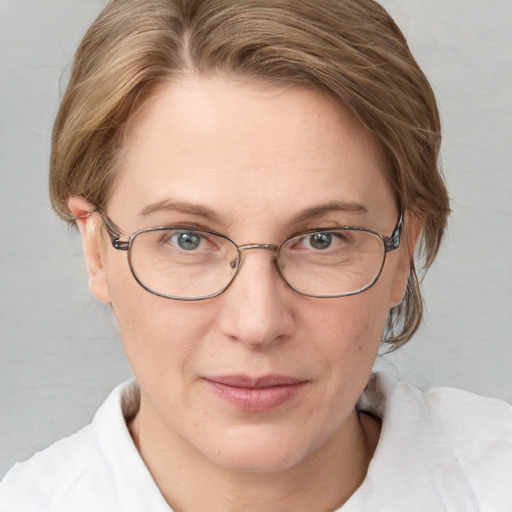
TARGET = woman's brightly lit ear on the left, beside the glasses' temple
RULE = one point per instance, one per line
(90, 229)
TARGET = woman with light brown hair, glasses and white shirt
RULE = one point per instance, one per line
(251, 180)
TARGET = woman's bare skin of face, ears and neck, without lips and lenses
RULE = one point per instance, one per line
(255, 156)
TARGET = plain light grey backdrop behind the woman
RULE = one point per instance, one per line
(59, 351)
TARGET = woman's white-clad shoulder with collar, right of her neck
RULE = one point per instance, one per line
(451, 447)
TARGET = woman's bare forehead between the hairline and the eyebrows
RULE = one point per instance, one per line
(248, 149)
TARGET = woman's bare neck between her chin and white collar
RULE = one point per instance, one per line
(323, 481)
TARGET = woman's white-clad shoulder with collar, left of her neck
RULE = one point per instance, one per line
(89, 470)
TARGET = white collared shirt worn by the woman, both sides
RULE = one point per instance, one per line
(443, 450)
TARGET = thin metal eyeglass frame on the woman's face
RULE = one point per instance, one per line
(390, 244)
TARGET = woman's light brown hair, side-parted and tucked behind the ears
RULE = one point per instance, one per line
(351, 50)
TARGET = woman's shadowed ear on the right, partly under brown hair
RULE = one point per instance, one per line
(413, 225)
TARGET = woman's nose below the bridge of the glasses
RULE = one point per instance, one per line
(257, 308)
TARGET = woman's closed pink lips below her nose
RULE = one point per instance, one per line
(256, 394)
